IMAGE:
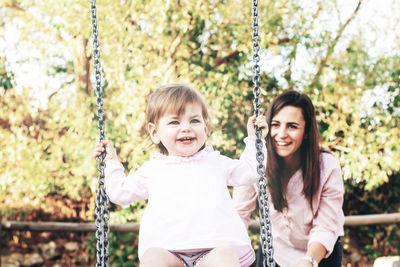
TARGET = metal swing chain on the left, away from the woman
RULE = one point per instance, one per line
(102, 201)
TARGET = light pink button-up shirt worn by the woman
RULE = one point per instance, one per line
(294, 229)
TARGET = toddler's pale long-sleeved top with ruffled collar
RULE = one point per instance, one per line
(189, 204)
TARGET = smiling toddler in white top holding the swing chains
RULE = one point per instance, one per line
(190, 218)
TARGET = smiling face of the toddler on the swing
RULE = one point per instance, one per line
(181, 135)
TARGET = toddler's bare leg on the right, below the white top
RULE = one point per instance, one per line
(221, 257)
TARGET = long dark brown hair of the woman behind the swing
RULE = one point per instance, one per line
(309, 150)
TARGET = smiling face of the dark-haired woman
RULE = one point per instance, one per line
(287, 132)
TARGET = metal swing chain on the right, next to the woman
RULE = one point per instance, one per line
(263, 193)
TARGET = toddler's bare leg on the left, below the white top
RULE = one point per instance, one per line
(159, 257)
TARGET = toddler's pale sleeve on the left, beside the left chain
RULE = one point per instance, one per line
(122, 189)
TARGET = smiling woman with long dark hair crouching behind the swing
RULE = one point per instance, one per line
(305, 184)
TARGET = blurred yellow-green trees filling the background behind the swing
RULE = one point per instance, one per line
(343, 54)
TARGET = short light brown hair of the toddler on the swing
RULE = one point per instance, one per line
(173, 98)
